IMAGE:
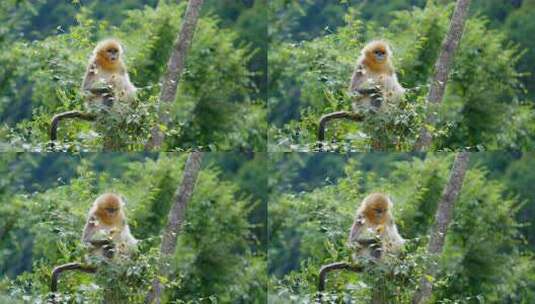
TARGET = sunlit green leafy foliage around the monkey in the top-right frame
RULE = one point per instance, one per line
(483, 107)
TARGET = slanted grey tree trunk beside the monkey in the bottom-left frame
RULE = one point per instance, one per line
(177, 215)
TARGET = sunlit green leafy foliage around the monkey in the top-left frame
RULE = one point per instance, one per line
(216, 91)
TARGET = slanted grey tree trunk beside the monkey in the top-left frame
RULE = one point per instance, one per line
(175, 66)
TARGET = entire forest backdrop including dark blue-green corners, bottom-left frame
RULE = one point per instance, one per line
(220, 253)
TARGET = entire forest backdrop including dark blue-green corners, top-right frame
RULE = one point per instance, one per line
(488, 102)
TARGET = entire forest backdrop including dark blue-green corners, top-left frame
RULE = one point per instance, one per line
(46, 46)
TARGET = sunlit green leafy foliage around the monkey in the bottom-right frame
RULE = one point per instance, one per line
(309, 229)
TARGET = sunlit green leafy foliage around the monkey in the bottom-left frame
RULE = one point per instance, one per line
(214, 257)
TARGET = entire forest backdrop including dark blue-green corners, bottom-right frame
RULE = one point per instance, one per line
(488, 252)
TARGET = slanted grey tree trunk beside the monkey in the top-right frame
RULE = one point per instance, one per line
(442, 68)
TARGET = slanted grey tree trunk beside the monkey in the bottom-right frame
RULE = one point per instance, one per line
(442, 220)
